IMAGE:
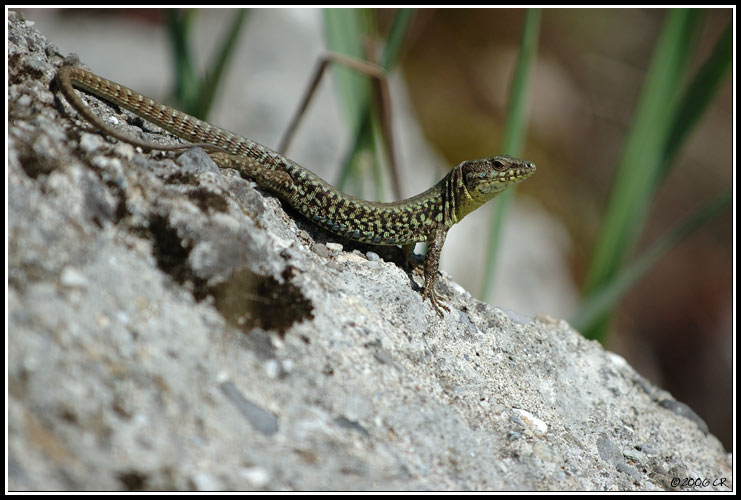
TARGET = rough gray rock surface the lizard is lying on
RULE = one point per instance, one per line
(171, 326)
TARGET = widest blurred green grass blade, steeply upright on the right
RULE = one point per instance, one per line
(635, 181)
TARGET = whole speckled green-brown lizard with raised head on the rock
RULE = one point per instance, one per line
(426, 217)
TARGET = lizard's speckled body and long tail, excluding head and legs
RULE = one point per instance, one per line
(393, 223)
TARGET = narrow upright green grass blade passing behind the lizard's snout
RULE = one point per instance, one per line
(514, 136)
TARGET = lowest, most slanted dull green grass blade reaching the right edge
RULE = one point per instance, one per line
(603, 300)
